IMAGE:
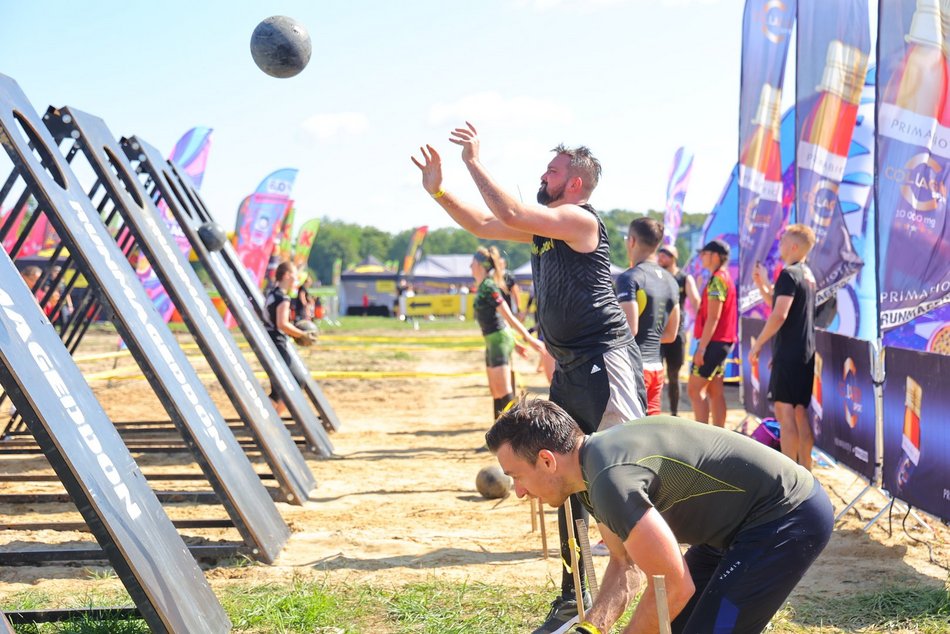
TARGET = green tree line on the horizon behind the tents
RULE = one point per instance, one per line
(351, 243)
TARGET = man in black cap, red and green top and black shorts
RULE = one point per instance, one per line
(715, 331)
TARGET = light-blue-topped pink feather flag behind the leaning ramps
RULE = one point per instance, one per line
(265, 210)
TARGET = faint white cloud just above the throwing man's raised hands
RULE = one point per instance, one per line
(491, 107)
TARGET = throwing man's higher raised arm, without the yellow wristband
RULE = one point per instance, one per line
(567, 222)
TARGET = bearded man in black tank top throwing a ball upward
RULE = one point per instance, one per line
(598, 376)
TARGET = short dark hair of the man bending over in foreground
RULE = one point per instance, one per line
(533, 425)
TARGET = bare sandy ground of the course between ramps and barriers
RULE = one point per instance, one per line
(398, 503)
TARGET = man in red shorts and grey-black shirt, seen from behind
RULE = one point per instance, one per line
(648, 296)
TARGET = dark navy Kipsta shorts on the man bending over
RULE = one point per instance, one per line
(740, 588)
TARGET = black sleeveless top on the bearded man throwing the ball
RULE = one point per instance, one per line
(576, 304)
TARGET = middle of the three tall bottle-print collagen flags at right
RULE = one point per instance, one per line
(834, 41)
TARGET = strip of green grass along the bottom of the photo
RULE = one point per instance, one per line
(434, 606)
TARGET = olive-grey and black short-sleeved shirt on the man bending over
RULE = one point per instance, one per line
(706, 482)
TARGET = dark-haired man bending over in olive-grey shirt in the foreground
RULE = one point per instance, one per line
(753, 519)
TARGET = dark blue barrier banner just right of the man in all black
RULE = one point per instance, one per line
(842, 405)
